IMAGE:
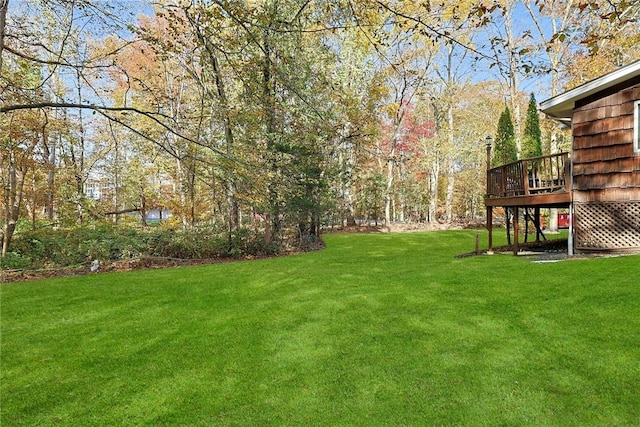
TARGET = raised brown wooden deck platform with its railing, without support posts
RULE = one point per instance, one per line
(543, 181)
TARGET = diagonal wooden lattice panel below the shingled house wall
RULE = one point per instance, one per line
(607, 225)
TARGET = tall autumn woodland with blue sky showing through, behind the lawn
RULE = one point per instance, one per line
(278, 116)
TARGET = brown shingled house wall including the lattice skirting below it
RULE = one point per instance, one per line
(606, 170)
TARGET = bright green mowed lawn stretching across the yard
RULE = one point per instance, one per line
(377, 329)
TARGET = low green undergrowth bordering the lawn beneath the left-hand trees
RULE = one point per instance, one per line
(47, 248)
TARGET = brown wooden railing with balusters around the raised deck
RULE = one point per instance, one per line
(526, 177)
